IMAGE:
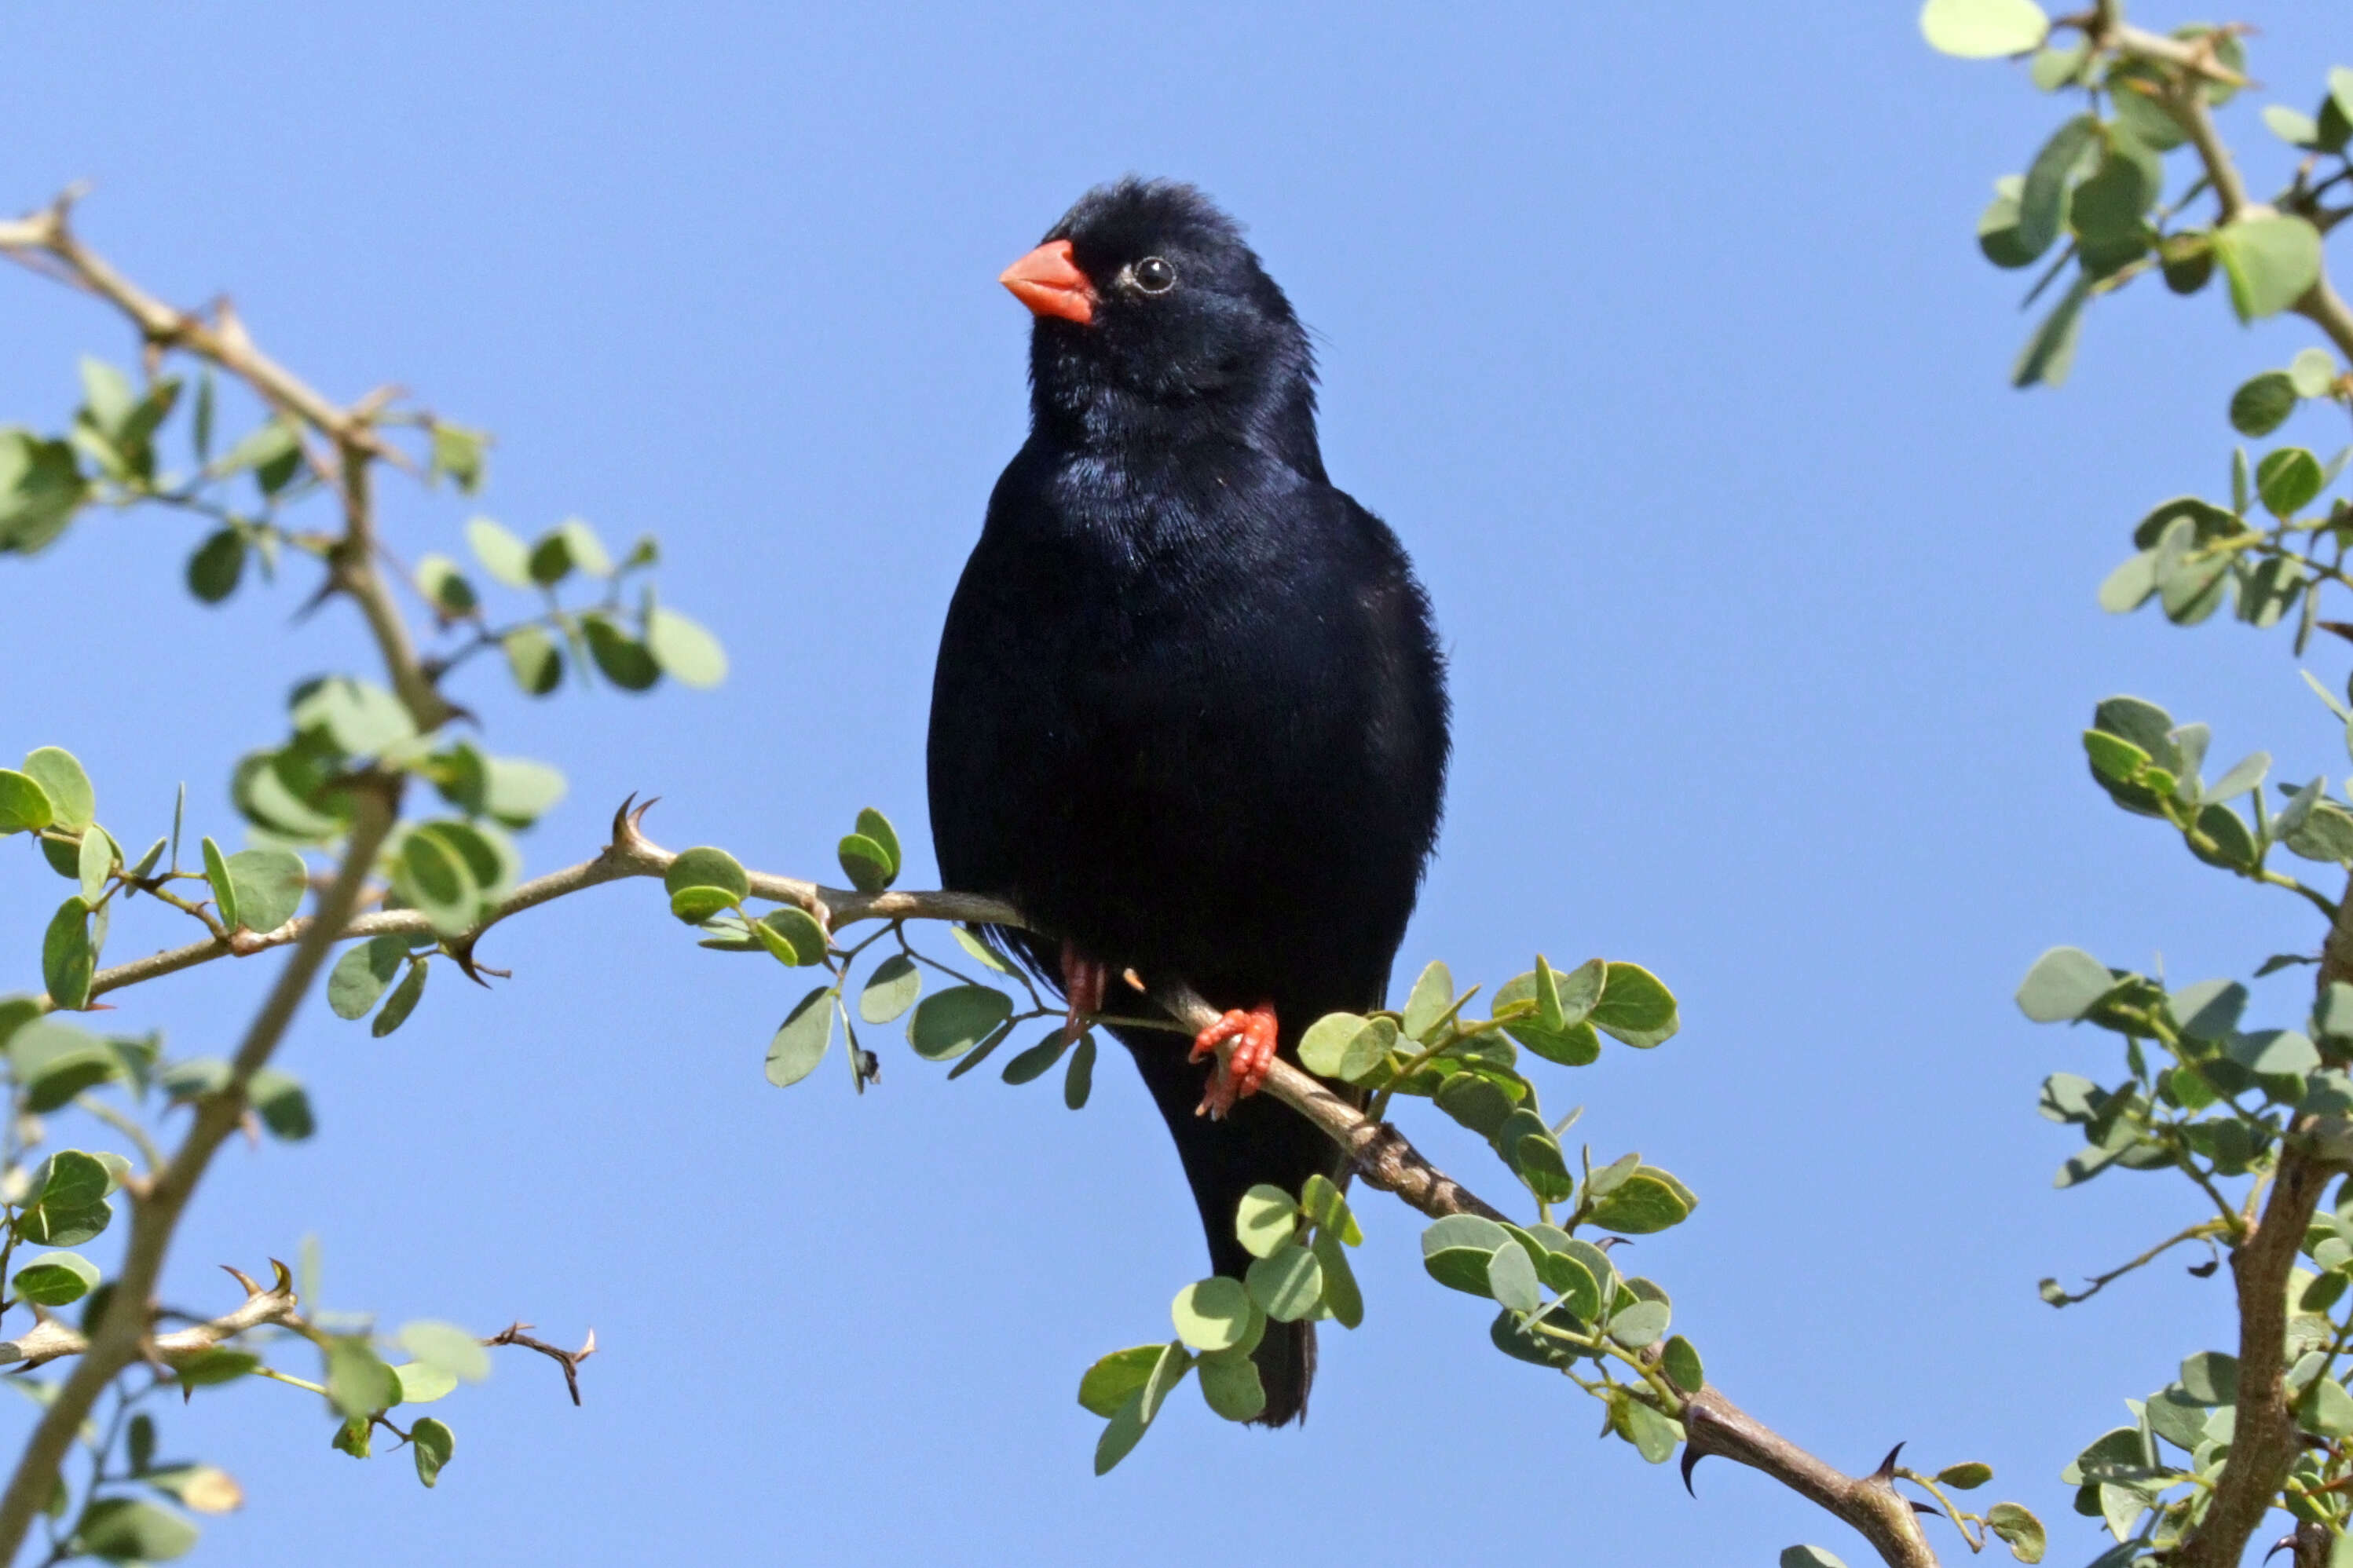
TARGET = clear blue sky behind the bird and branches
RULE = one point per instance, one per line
(1660, 337)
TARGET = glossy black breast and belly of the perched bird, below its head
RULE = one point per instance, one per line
(1189, 713)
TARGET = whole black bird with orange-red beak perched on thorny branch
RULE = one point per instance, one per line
(1189, 711)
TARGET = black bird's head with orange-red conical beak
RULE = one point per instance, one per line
(1152, 311)
